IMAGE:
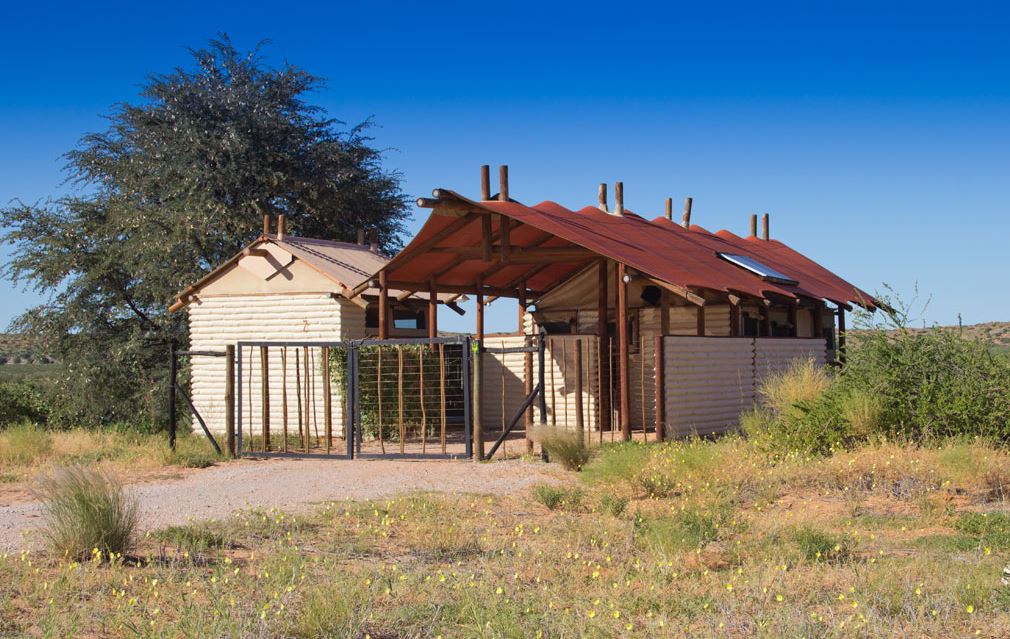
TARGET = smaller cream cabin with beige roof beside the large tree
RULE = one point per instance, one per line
(285, 288)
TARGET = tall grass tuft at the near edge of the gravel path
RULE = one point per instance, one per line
(87, 514)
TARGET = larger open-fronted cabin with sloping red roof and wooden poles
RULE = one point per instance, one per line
(677, 325)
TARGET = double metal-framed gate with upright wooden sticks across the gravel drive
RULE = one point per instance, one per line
(401, 398)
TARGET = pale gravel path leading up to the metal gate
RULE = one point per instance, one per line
(293, 485)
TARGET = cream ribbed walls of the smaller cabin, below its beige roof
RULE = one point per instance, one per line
(218, 323)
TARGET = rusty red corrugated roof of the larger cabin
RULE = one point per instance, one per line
(660, 249)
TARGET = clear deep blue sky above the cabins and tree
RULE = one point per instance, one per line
(877, 137)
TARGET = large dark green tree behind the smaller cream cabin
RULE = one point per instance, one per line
(178, 183)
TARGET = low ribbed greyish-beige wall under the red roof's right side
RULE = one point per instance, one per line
(710, 382)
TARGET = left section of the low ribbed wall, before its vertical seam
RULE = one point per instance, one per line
(708, 382)
